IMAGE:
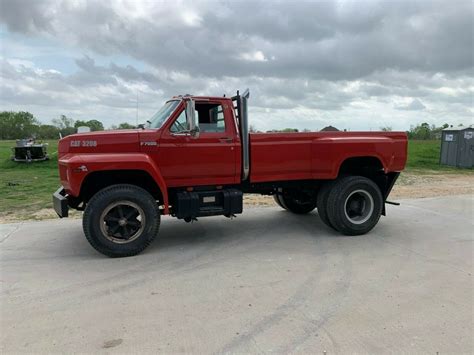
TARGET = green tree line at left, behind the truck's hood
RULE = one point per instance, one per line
(17, 125)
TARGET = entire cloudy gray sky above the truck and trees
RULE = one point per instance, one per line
(358, 65)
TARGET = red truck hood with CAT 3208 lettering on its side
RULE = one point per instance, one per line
(117, 141)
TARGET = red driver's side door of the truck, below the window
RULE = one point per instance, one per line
(209, 159)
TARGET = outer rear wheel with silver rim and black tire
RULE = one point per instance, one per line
(354, 205)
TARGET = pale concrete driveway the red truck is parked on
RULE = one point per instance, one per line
(267, 281)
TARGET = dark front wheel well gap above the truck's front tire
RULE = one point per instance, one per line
(98, 180)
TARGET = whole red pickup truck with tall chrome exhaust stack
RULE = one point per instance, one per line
(197, 158)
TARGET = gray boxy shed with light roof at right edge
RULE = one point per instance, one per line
(457, 147)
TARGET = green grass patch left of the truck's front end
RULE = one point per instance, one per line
(26, 188)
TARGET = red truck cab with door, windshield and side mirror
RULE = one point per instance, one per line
(209, 151)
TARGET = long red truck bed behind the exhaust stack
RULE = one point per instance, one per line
(319, 155)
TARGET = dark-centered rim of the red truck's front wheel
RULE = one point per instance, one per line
(122, 222)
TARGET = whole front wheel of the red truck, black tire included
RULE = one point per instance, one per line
(121, 220)
